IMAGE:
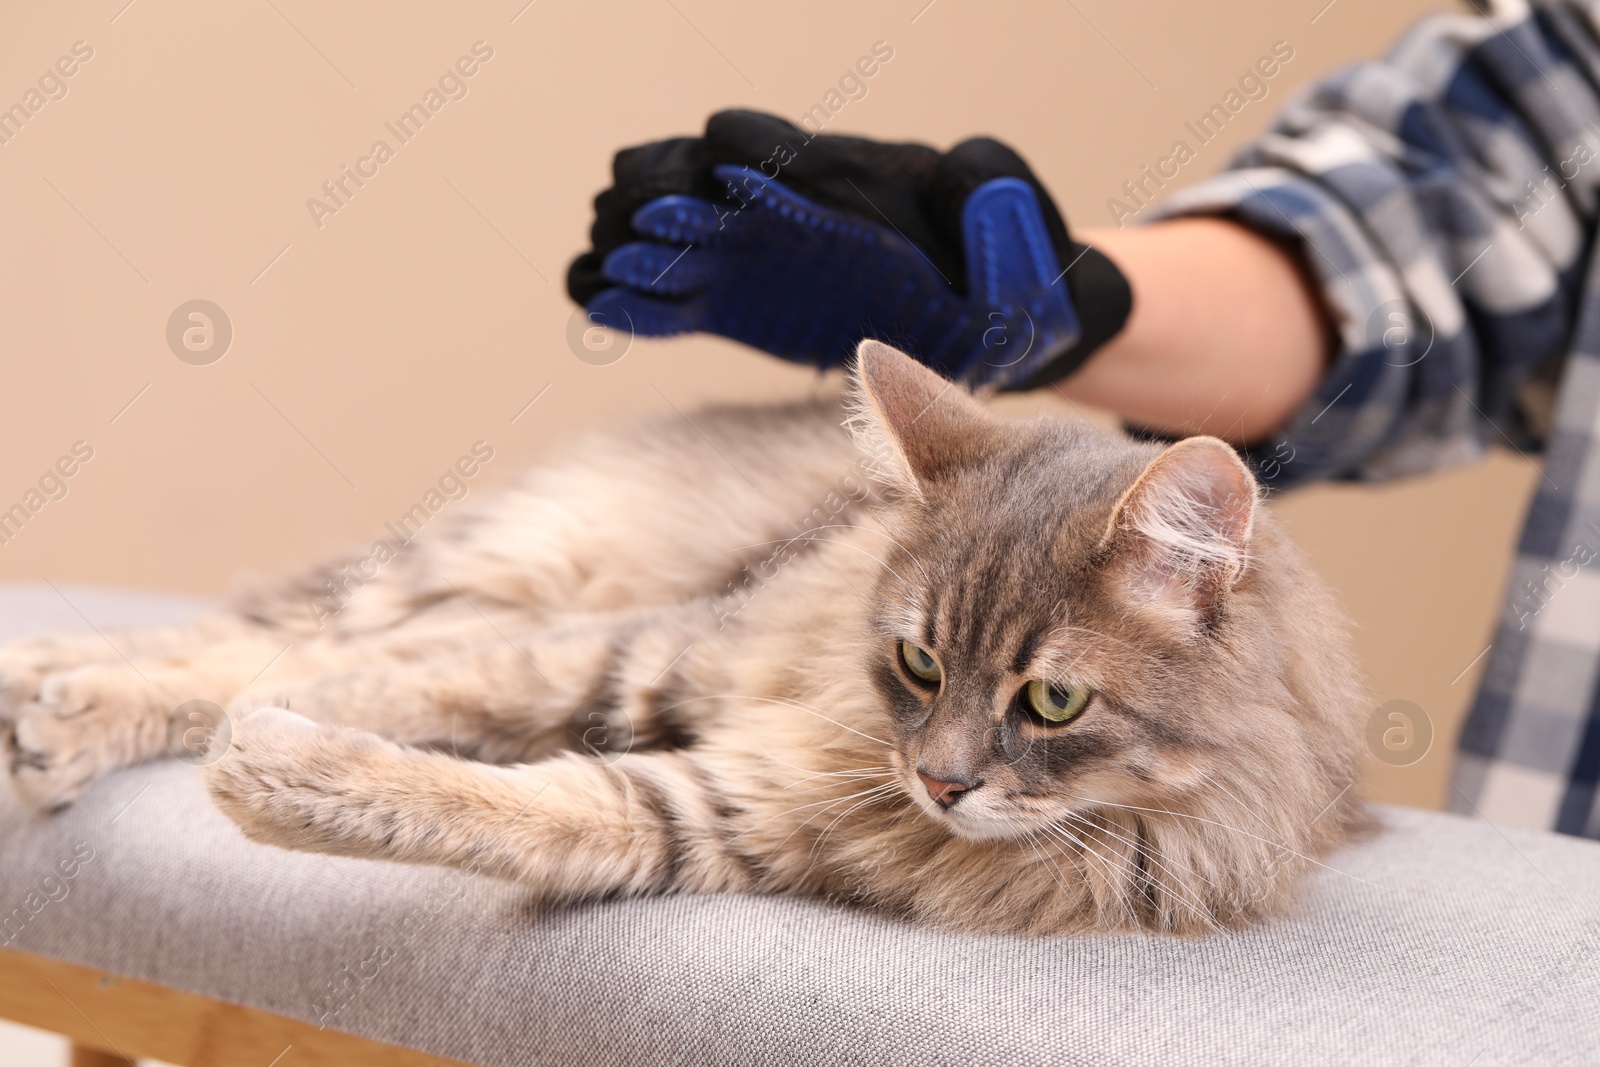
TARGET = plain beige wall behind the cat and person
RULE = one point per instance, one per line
(423, 316)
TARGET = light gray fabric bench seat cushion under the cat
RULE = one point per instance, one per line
(1444, 941)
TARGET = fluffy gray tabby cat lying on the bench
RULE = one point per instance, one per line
(1022, 677)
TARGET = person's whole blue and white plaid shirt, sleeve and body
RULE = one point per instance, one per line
(1446, 202)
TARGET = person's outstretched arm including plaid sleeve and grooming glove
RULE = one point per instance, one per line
(1382, 286)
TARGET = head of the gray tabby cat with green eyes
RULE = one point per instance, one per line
(1073, 626)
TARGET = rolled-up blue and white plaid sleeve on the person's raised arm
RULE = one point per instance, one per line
(1444, 202)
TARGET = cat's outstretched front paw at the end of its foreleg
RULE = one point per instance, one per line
(292, 783)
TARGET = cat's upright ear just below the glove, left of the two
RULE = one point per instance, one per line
(918, 426)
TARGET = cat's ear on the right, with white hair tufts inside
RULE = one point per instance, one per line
(1182, 533)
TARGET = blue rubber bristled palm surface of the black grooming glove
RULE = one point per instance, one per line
(807, 282)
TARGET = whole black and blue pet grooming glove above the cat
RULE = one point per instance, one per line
(958, 260)
